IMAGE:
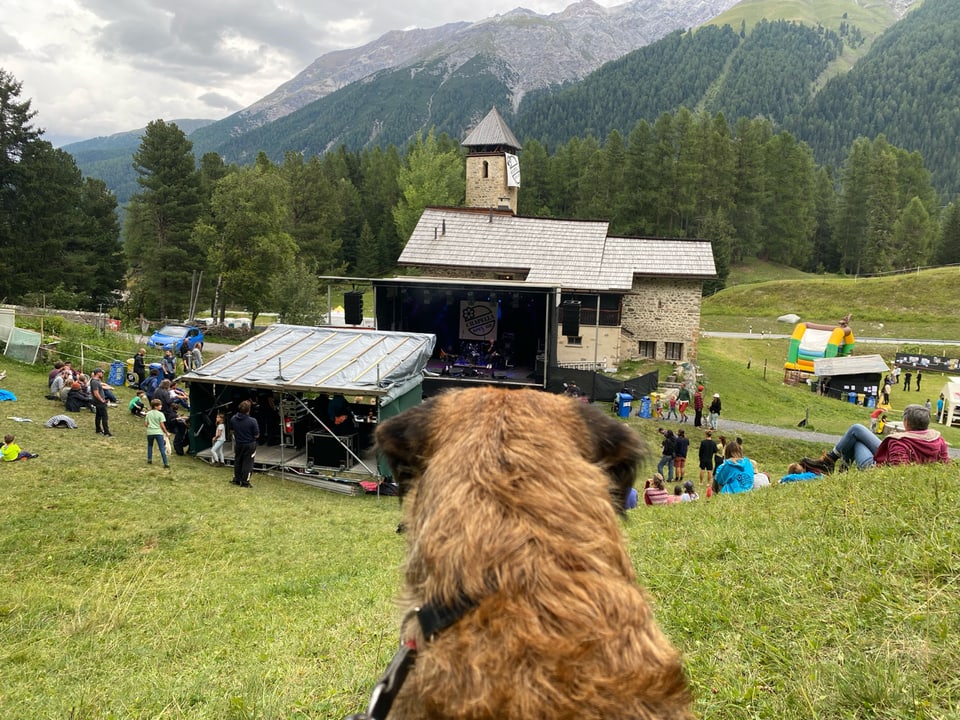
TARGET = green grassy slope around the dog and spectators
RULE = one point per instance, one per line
(130, 592)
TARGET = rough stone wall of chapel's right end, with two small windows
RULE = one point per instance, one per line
(661, 311)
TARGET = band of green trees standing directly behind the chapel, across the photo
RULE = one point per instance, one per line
(262, 232)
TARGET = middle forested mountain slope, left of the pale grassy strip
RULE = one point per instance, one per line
(767, 73)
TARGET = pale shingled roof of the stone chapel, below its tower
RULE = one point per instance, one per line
(570, 254)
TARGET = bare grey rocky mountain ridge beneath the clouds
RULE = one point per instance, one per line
(556, 48)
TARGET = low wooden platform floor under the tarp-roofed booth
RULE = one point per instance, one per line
(294, 464)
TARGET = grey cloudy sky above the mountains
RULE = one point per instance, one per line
(97, 67)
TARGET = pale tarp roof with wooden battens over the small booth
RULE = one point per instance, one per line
(296, 358)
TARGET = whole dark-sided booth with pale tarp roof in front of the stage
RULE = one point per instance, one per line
(385, 367)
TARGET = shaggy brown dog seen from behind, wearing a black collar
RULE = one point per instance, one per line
(510, 502)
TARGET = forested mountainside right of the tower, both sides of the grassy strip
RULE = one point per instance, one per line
(903, 87)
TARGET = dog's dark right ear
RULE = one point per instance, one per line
(615, 448)
